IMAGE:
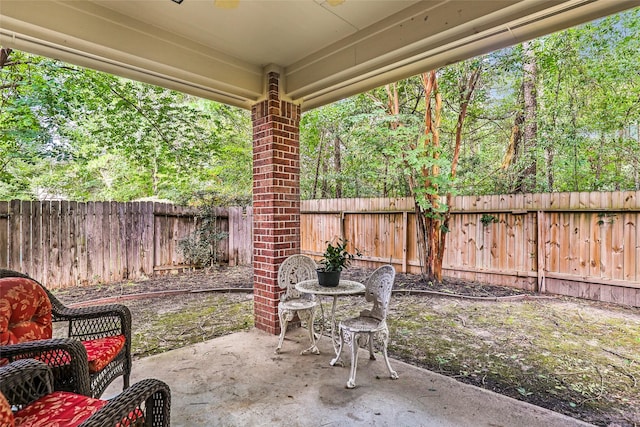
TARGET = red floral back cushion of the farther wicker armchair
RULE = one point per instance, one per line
(25, 311)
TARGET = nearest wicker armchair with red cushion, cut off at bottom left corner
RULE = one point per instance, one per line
(28, 397)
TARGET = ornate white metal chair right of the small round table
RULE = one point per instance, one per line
(370, 324)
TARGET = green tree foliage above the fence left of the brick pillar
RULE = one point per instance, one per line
(84, 135)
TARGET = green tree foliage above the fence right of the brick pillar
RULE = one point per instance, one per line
(588, 119)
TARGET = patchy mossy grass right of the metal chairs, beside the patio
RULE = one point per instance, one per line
(561, 354)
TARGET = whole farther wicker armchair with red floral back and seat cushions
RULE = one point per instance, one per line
(97, 348)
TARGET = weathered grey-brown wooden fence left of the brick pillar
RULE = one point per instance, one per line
(65, 243)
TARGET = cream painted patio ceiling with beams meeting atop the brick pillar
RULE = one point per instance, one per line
(322, 52)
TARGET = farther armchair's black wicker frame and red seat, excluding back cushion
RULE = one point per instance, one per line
(84, 353)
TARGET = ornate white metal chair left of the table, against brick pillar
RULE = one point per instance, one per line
(295, 269)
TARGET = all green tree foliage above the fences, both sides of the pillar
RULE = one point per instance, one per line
(75, 133)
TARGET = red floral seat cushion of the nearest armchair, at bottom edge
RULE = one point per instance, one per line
(63, 409)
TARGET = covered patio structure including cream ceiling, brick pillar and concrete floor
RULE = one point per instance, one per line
(278, 59)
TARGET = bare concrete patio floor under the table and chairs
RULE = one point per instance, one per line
(238, 380)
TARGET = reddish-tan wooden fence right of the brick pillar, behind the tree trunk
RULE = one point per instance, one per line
(578, 244)
